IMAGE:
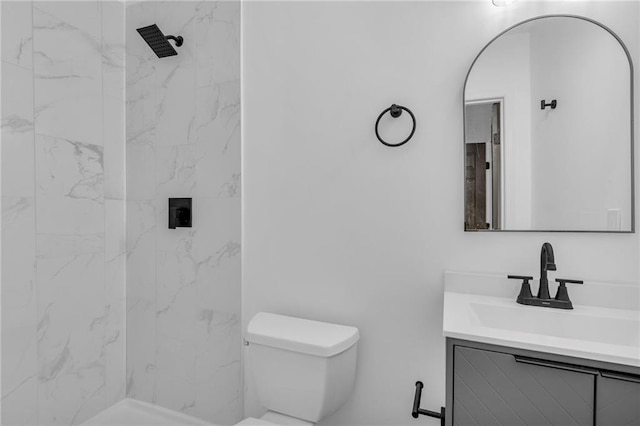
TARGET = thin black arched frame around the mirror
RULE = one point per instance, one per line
(631, 123)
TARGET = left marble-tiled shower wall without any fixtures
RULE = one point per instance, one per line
(63, 210)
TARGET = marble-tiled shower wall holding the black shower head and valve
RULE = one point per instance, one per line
(183, 140)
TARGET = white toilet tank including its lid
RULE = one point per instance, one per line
(302, 368)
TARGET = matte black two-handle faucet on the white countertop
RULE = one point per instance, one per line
(547, 263)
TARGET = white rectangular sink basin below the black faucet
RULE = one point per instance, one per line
(568, 325)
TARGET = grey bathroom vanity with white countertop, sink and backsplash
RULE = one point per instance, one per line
(509, 364)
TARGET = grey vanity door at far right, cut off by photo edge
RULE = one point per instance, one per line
(618, 400)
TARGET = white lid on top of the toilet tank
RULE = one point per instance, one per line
(300, 335)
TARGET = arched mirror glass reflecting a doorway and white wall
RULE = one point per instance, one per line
(548, 130)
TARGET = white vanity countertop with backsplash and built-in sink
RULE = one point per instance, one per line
(604, 327)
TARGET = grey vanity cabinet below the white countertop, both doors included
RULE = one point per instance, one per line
(490, 385)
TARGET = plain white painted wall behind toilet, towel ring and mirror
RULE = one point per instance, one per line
(338, 227)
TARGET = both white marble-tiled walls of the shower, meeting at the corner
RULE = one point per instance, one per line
(97, 133)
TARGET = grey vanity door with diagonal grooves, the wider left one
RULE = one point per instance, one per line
(493, 388)
